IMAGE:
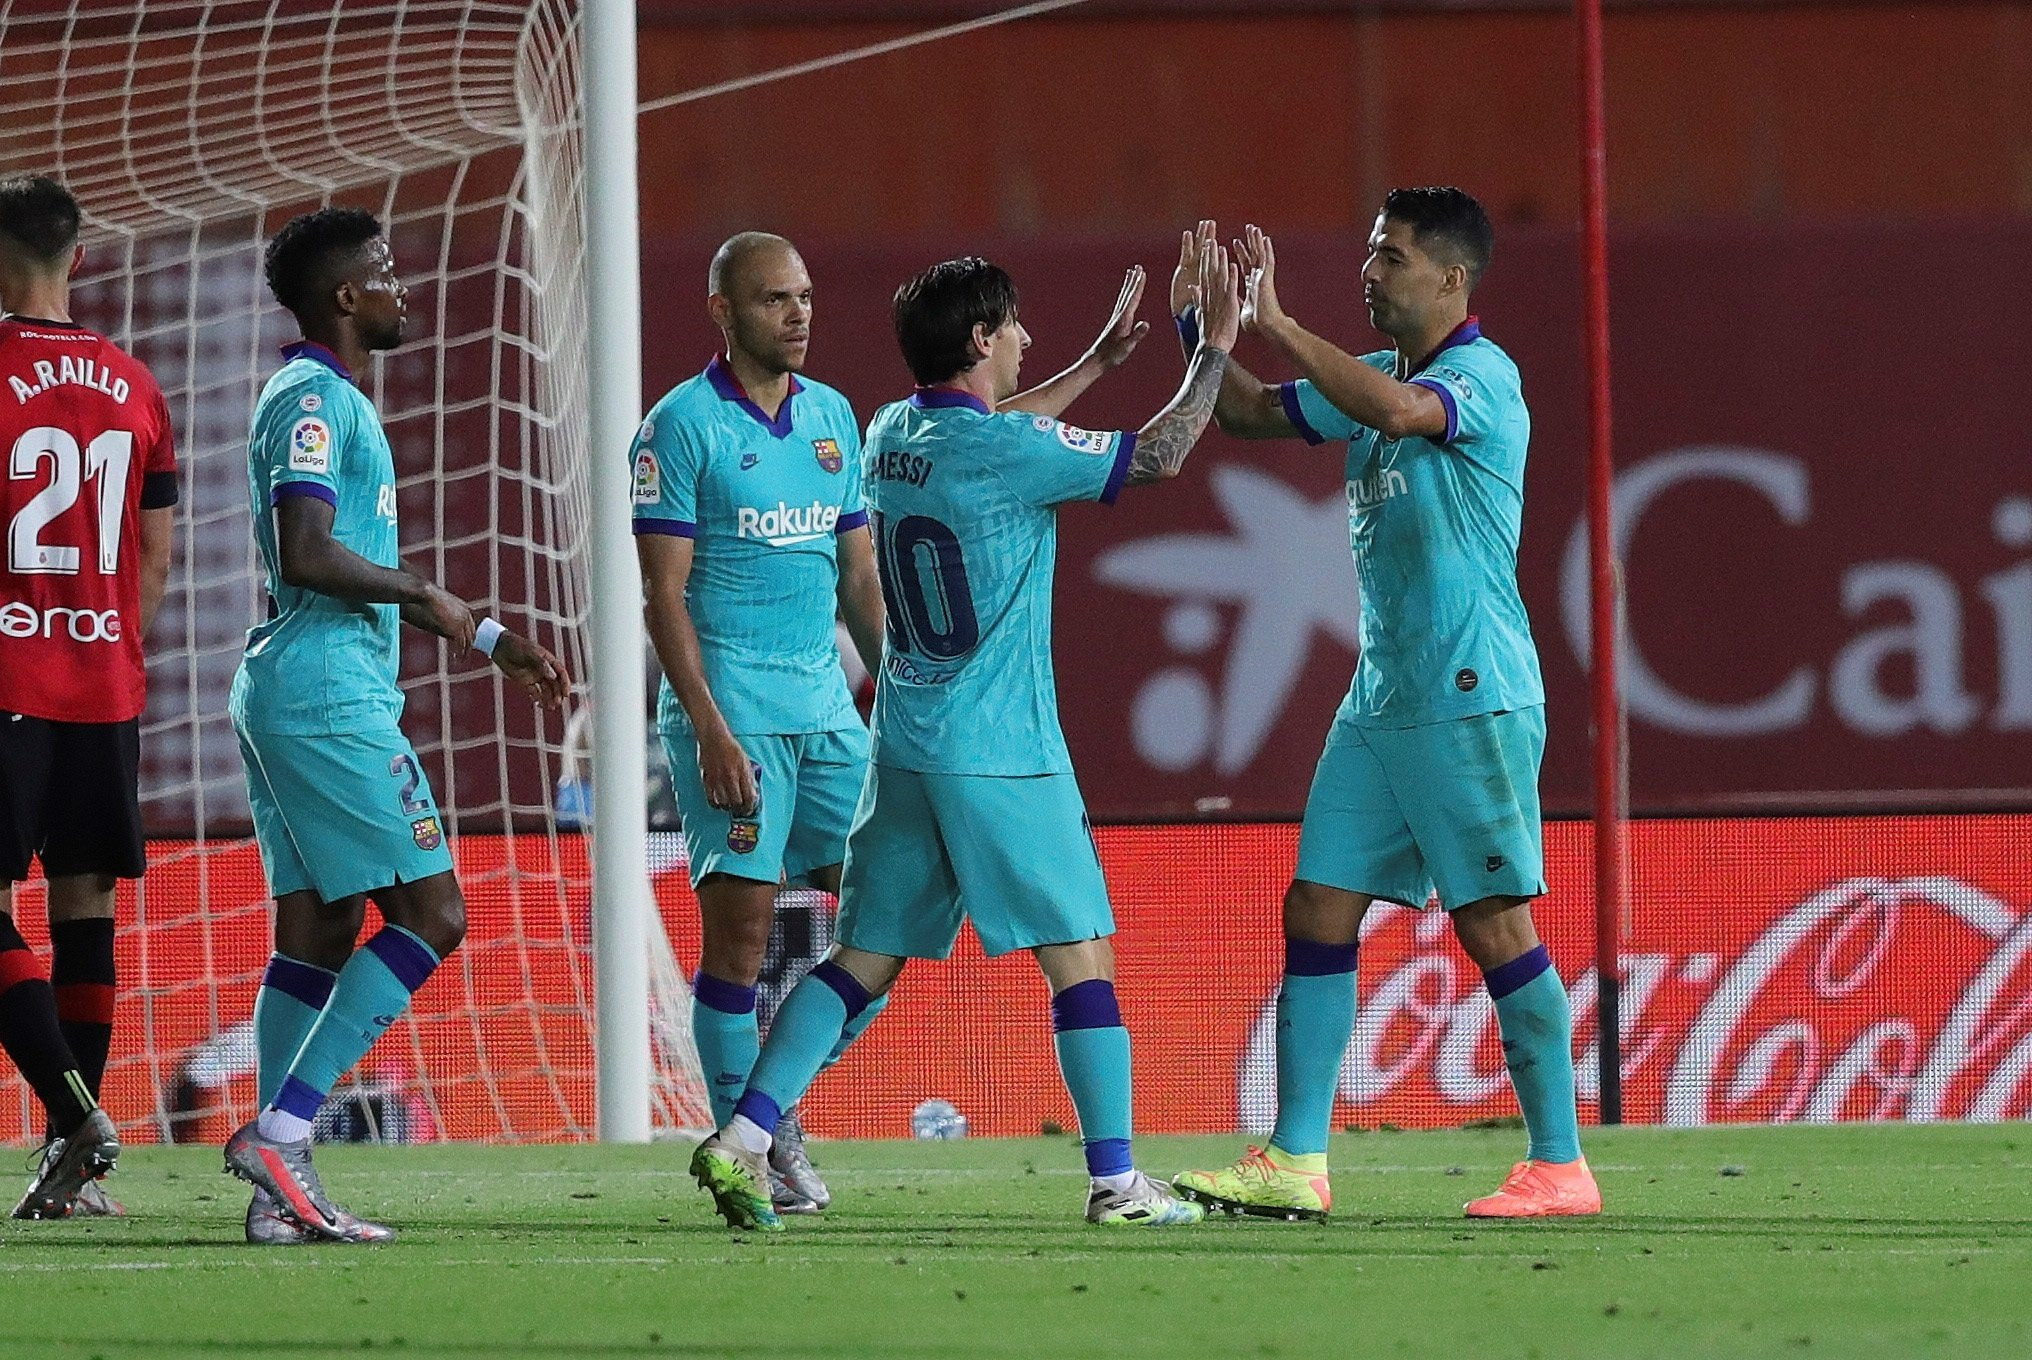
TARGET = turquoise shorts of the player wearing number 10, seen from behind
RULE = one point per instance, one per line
(1013, 855)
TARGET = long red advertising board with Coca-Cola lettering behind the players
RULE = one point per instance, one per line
(1834, 969)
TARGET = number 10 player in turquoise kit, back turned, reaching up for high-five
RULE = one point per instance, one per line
(972, 810)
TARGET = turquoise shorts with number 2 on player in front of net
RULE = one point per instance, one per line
(342, 814)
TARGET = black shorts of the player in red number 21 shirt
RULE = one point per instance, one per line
(70, 794)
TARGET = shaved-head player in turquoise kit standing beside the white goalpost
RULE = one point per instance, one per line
(751, 530)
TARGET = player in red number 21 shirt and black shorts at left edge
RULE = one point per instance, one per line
(84, 554)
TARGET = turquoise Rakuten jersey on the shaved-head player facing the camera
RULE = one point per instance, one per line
(763, 503)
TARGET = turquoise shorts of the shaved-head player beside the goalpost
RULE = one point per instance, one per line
(810, 786)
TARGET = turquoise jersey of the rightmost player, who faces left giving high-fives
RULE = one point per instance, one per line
(1436, 534)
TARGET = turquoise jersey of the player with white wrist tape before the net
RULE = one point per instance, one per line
(320, 666)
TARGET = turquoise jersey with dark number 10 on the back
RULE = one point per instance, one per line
(966, 523)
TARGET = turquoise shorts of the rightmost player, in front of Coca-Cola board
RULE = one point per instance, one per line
(1452, 806)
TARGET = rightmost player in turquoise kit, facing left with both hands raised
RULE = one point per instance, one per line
(1432, 769)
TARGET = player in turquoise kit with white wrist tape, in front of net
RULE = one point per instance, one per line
(342, 808)
